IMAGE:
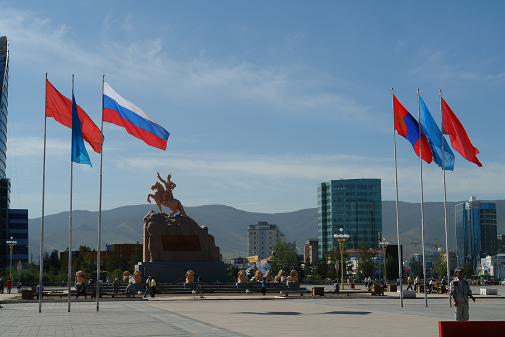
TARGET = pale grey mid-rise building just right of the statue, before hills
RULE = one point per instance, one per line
(262, 239)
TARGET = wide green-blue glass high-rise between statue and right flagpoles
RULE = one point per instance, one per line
(354, 205)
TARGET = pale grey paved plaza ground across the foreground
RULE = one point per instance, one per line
(251, 315)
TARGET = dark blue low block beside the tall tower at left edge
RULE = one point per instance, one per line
(18, 230)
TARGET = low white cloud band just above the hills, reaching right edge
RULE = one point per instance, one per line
(284, 171)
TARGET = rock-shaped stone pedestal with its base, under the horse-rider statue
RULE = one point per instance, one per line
(172, 246)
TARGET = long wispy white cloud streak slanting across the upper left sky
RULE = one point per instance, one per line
(147, 64)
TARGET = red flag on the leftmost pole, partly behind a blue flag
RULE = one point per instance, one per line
(60, 108)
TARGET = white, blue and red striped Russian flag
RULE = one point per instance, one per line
(118, 110)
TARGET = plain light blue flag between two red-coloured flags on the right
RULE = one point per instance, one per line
(435, 137)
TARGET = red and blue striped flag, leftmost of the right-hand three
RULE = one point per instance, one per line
(407, 127)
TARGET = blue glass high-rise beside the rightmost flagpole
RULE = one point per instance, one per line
(476, 231)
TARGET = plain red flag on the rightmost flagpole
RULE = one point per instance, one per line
(459, 137)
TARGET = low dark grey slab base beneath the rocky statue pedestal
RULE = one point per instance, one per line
(171, 272)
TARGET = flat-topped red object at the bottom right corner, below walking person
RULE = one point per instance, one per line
(471, 329)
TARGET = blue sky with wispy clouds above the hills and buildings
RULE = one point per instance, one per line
(263, 100)
